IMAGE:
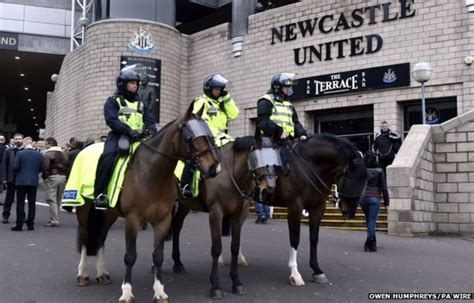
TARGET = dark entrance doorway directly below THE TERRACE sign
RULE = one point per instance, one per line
(355, 124)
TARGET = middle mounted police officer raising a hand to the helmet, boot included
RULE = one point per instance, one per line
(219, 109)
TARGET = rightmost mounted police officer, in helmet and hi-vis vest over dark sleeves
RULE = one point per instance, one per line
(276, 116)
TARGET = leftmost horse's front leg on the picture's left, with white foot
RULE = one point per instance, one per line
(131, 230)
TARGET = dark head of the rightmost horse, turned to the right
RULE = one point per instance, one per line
(352, 185)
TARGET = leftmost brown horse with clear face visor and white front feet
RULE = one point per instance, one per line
(148, 195)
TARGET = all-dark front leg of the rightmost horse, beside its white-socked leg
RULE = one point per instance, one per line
(314, 220)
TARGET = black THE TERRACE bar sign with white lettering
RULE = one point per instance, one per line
(376, 78)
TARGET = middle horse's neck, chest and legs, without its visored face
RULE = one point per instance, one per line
(227, 196)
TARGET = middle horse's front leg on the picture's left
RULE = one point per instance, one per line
(215, 223)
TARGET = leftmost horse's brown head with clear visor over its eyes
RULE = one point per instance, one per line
(199, 143)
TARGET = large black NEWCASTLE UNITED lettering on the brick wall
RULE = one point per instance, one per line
(319, 26)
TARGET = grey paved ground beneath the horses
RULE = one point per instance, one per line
(40, 266)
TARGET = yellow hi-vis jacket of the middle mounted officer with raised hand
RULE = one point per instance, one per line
(217, 114)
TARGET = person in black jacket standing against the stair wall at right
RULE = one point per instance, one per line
(386, 145)
